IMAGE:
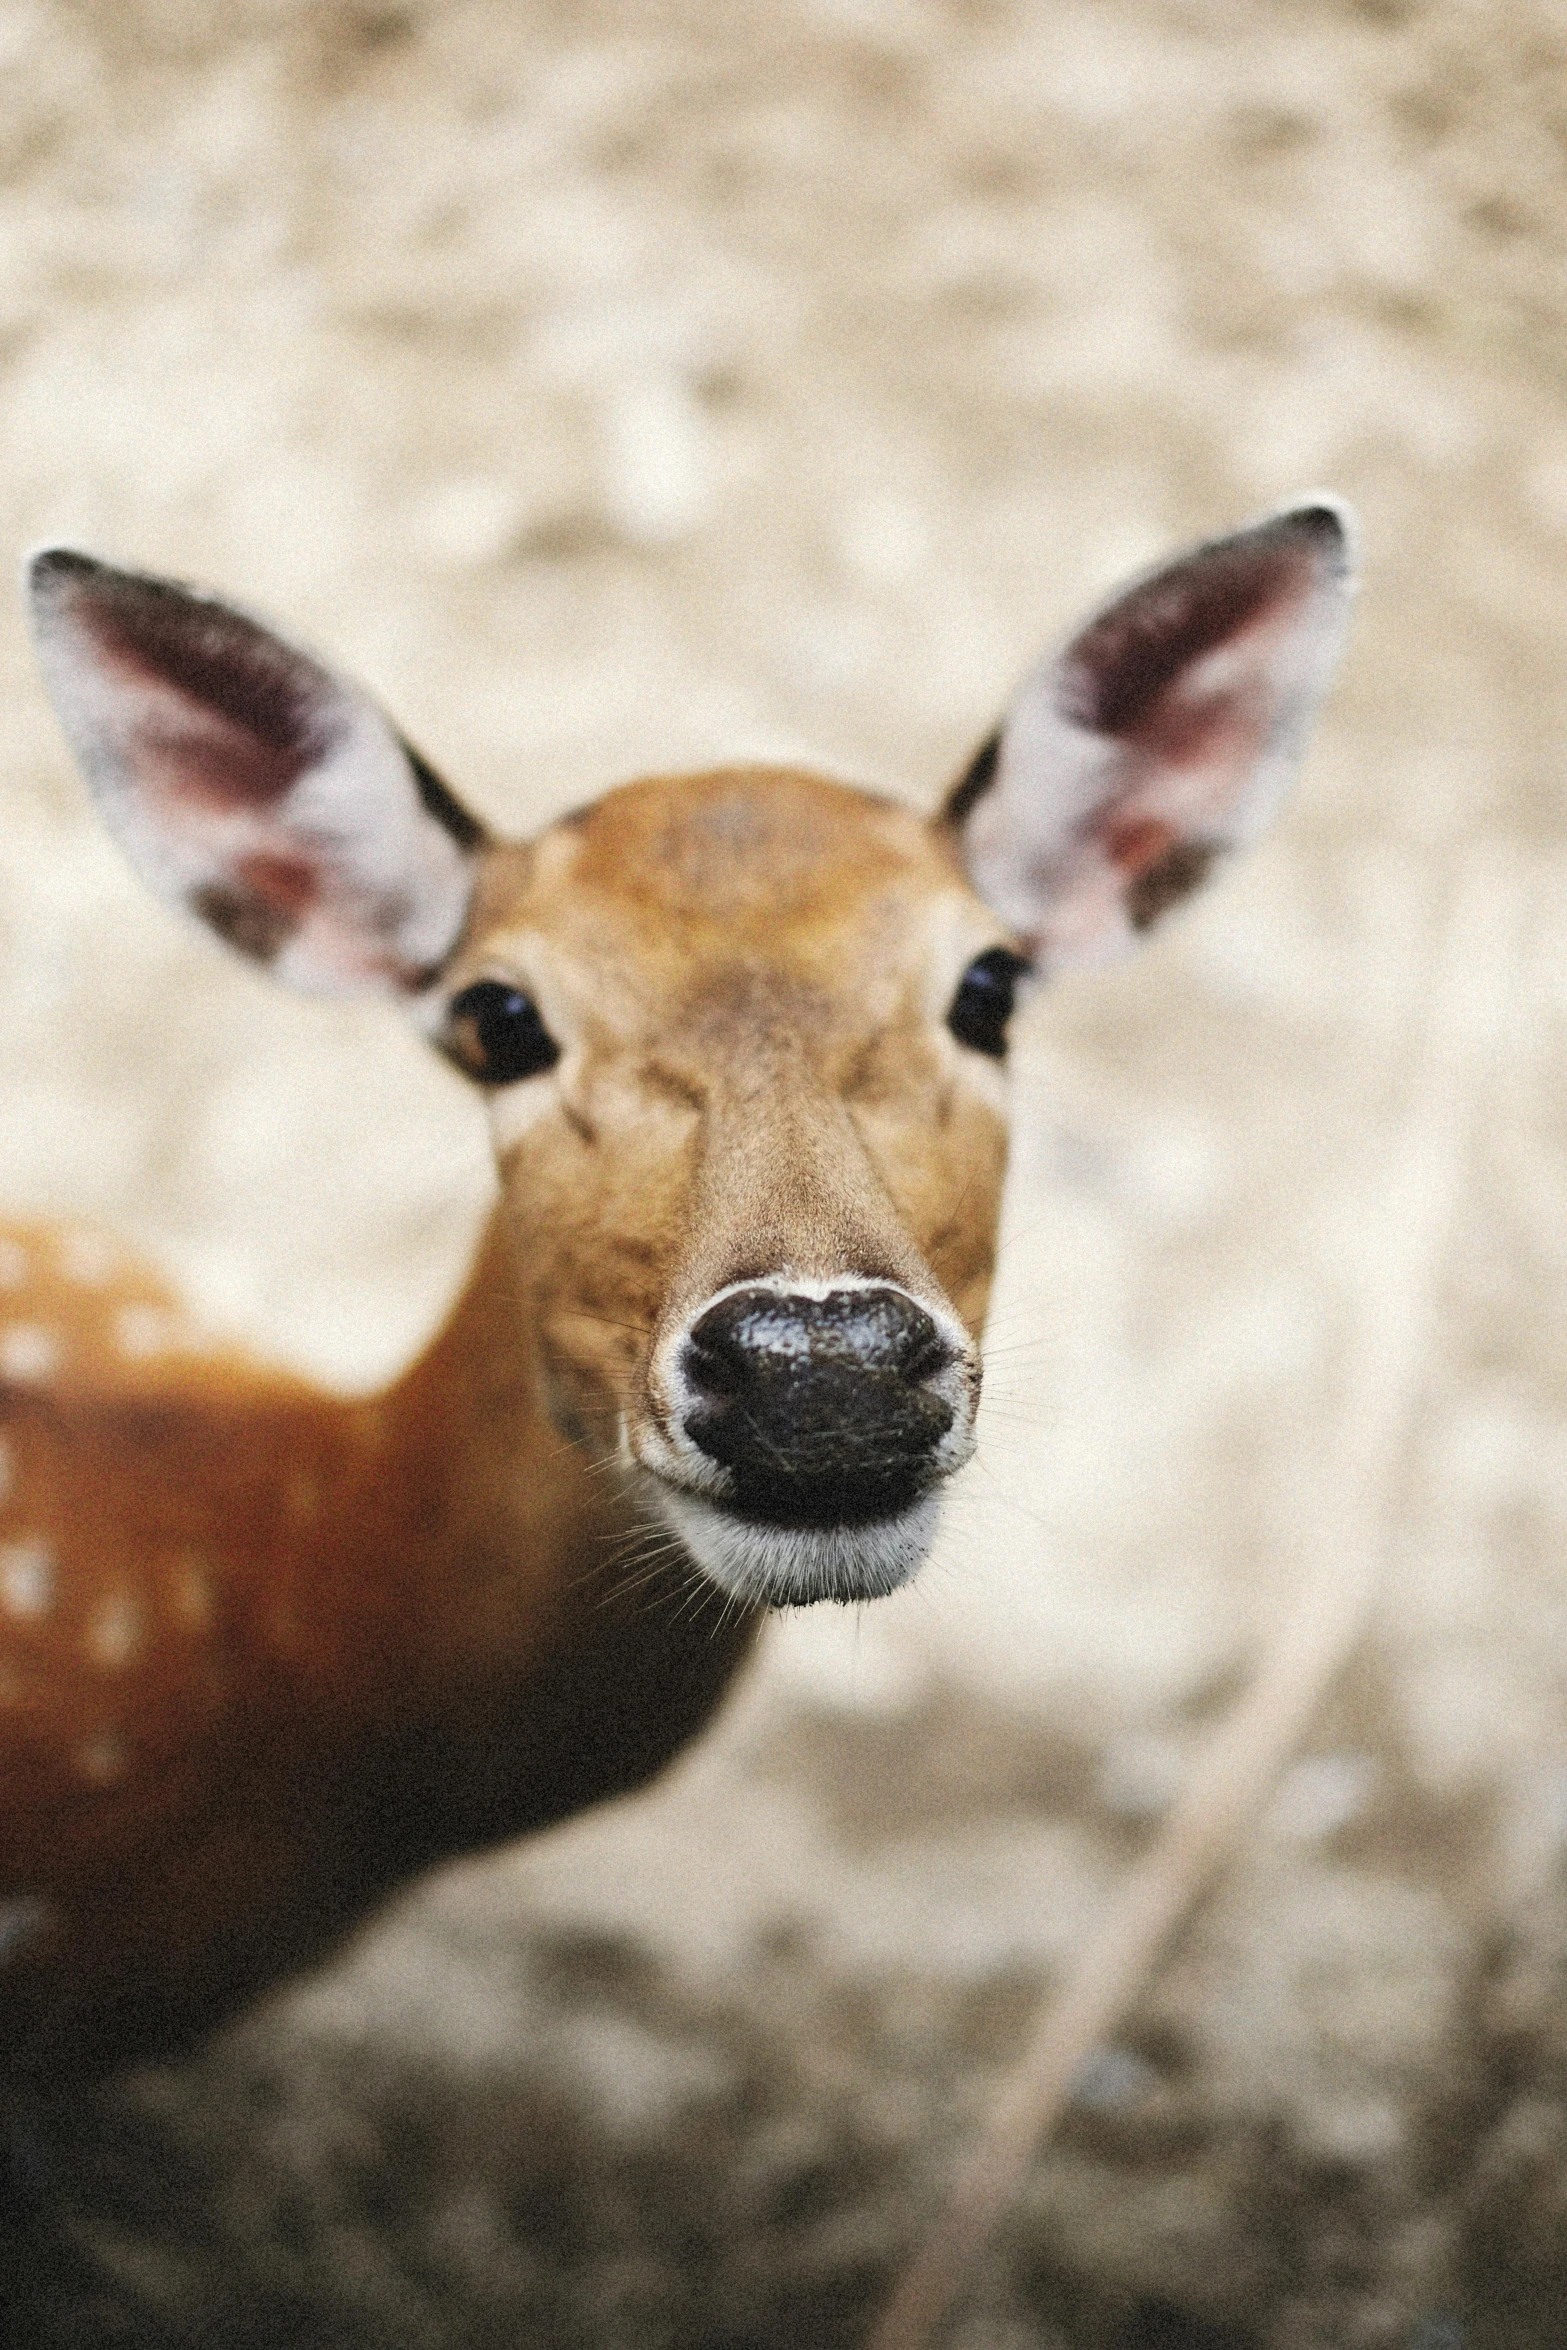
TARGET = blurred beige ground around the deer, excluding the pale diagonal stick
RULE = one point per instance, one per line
(624, 389)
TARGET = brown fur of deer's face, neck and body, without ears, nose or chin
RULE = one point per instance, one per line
(375, 1634)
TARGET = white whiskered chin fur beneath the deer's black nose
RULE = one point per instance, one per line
(783, 1566)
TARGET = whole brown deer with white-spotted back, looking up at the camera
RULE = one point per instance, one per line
(267, 1653)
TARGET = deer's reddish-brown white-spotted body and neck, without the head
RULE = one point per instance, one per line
(267, 1651)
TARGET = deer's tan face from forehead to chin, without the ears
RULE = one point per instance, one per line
(755, 1186)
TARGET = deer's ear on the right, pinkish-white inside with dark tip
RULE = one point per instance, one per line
(1159, 737)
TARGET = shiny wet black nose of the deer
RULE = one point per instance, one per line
(819, 1406)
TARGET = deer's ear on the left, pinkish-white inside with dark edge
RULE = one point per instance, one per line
(253, 786)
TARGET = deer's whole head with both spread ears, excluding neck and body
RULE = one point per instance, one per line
(744, 1033)
